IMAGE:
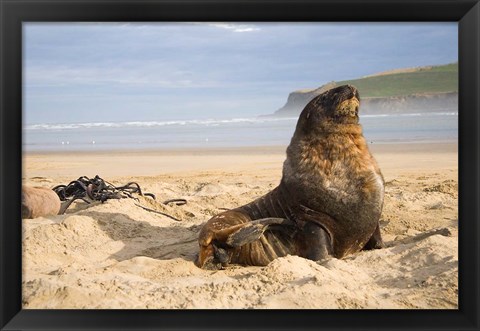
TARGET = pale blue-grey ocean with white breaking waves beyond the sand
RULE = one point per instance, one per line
(236, 132)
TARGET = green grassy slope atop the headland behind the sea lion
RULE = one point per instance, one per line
(428, 80)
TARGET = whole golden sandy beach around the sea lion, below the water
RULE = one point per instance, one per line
(118, 255)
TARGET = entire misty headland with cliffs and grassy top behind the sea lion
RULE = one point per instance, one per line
(408, 90)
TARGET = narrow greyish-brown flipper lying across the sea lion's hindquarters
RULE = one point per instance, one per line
(253, 230)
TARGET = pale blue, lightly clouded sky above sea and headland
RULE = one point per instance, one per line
(116, 72)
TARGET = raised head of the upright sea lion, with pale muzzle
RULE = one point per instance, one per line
(335, 110)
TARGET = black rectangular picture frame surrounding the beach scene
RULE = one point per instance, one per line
(14, 12)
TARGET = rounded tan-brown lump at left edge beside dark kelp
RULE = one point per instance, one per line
(39, 201)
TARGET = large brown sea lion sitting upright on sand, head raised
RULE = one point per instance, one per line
(328, 202)
